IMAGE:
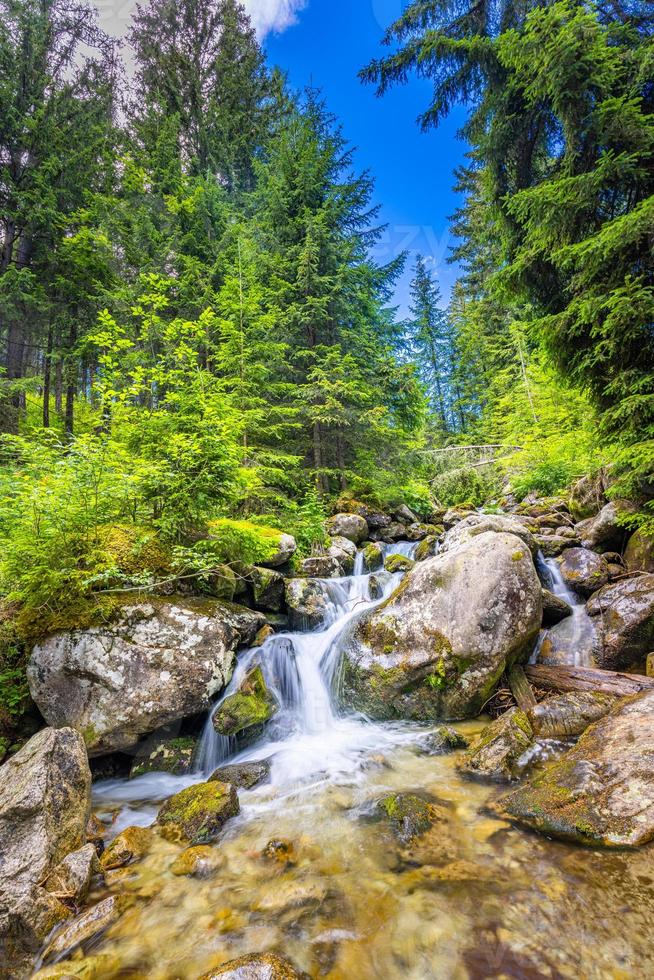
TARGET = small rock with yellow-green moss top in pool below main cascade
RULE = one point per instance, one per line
(198, 814)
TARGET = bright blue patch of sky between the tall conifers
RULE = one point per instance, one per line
(330, 41)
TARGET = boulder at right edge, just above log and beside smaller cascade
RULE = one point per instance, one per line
(623, 615)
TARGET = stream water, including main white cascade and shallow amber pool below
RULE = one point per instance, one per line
(347, 901)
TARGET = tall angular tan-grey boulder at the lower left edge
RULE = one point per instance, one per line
(45, 805)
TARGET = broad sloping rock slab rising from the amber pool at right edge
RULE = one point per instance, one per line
(601, 792)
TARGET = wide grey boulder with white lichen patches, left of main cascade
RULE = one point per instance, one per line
(157, 662)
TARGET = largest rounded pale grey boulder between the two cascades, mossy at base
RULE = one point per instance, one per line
(438, 645)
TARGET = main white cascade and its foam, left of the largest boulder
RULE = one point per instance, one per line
(307, 741)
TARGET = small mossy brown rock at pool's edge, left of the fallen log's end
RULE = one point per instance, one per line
(496, 753)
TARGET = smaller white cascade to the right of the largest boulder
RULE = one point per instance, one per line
(573, 639)
